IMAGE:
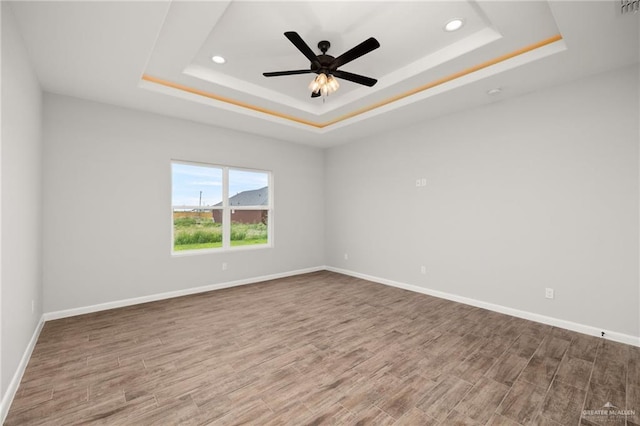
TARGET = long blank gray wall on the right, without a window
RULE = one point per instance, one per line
(538, 191)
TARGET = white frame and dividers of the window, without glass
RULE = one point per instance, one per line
(226, 211)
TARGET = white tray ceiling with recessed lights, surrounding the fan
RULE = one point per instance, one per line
(155, 56)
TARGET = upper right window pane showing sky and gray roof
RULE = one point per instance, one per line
(248, 188)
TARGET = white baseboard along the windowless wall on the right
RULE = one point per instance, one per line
(569, 325)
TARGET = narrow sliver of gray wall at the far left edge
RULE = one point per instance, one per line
(21, 189)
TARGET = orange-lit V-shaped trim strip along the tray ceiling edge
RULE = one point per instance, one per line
(360, 111)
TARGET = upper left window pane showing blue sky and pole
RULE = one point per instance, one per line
(196, 186)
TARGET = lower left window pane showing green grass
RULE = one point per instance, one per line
(194, 230)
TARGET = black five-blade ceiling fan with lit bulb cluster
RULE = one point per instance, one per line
(326, 66)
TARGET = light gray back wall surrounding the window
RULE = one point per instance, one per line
(107, 222)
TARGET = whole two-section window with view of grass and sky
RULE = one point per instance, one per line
(219, 207)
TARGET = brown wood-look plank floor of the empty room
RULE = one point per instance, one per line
(320, 348)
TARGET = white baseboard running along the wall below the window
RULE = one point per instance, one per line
(170, 294)
